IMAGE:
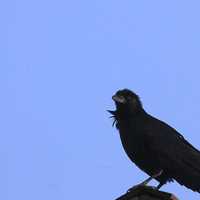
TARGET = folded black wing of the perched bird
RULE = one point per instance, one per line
(175, 155)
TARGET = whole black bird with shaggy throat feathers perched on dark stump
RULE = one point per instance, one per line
(154, 146)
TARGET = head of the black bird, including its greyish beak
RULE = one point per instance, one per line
(127, 102)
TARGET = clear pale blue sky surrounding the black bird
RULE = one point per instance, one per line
(61, 61)
